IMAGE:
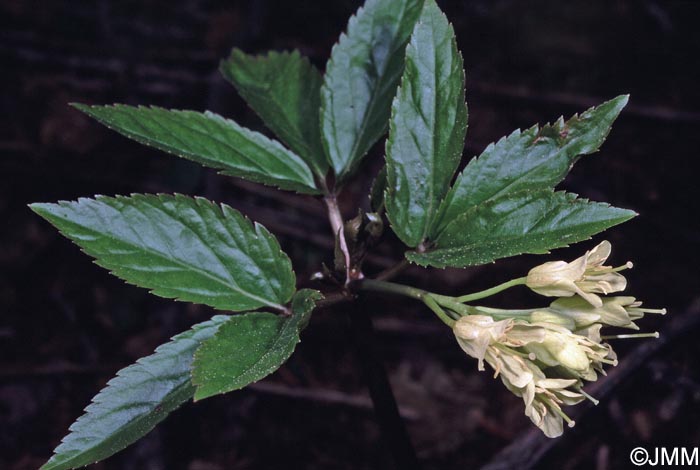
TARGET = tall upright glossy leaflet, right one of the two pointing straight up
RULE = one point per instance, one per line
(427, 128)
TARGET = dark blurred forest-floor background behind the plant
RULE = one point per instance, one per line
(66, 326)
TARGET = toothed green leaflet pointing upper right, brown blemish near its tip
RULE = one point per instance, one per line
(538, 158)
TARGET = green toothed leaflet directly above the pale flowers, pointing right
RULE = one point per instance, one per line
(524, 222)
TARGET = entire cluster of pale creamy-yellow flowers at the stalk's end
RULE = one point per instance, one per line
(545, 355)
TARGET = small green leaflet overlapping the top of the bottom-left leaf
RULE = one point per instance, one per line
(250, 347)
